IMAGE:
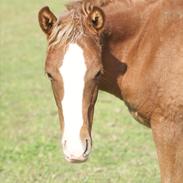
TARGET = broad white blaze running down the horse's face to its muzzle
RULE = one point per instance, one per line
(73, 72)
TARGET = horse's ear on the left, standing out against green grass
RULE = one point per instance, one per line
(46, 20)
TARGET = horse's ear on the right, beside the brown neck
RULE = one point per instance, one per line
(96, 18)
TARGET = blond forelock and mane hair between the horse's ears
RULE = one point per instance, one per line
(71, 26)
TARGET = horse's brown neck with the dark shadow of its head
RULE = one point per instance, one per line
(124, 25)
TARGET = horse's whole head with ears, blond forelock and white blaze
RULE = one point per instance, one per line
(74, 66)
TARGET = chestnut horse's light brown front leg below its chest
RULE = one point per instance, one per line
(168, 137)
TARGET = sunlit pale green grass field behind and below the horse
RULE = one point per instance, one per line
(30, 151)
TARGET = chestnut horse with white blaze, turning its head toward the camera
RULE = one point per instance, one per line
(132, 49)
